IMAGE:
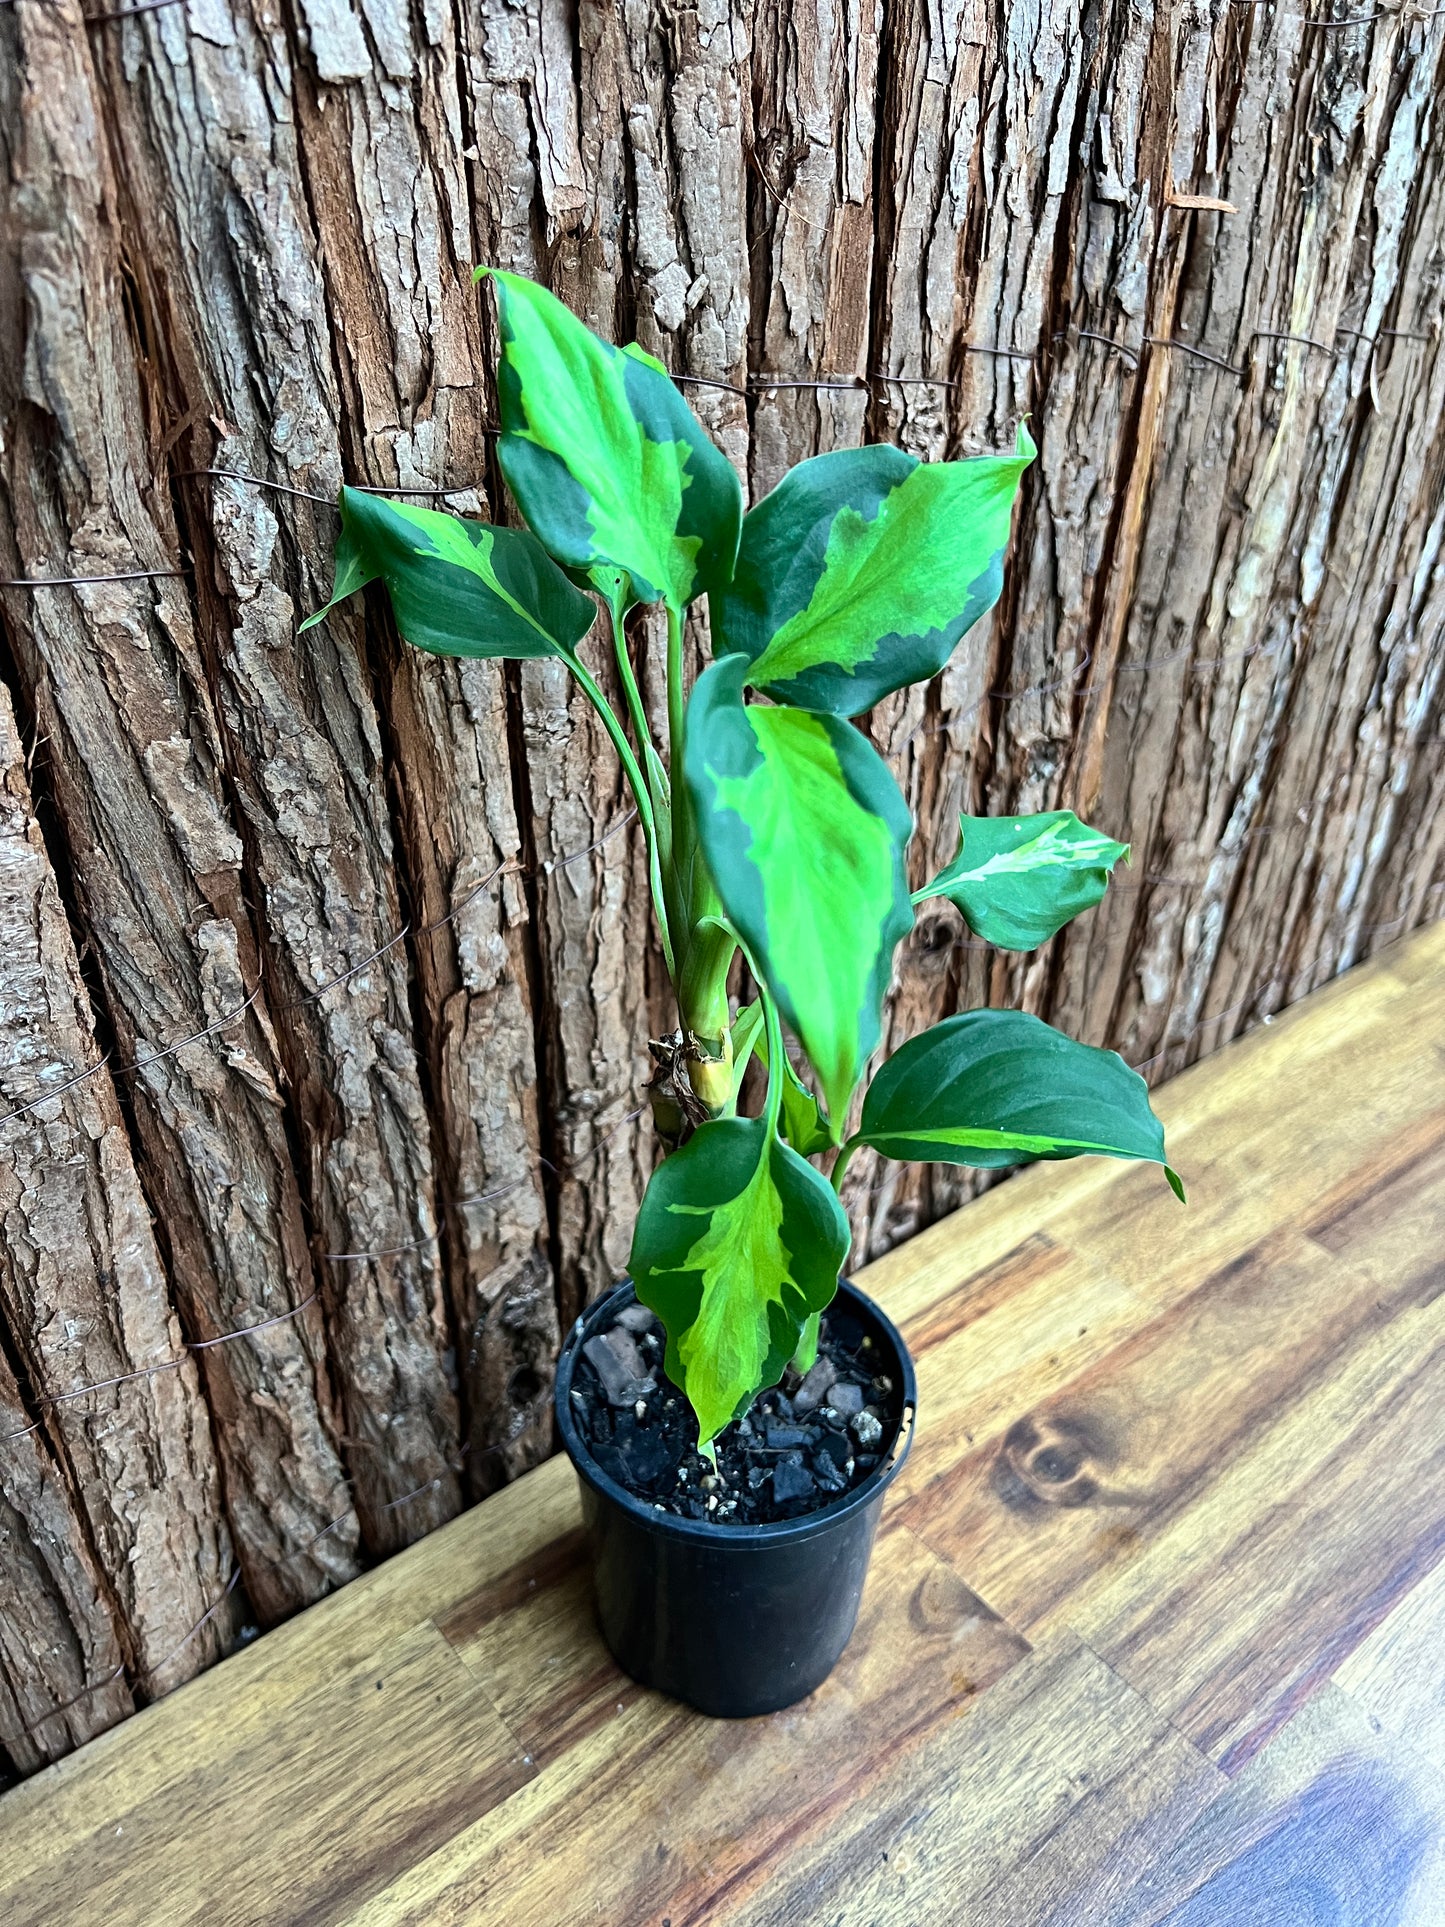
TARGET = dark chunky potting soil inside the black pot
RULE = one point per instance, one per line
(801, 1446)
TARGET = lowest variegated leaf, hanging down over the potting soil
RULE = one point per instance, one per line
(739, 1242)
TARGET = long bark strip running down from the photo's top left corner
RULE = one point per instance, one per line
(130, 743)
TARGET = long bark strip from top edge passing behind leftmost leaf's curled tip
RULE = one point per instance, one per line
(203, 119)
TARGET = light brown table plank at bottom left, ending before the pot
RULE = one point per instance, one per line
(388, 1756)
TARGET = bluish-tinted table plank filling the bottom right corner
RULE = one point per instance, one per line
(1332, 1824)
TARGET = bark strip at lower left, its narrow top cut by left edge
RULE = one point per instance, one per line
(82, 1286)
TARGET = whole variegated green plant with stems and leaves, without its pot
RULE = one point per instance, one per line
(774, 828)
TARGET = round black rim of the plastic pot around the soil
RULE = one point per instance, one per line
(702, 1531)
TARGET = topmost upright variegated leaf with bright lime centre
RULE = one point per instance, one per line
(608, 462)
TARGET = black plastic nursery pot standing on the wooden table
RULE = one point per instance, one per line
(733, 1620)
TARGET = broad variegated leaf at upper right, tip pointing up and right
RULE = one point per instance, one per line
(862, 571)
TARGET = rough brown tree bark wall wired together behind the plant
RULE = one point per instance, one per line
(365, 934)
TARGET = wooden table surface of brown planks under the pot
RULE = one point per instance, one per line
(1153, 1629)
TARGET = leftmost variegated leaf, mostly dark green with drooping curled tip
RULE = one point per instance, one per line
(458, 587)
